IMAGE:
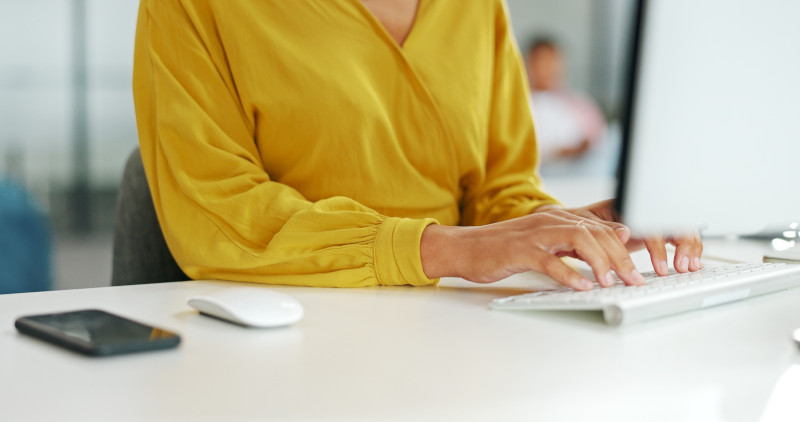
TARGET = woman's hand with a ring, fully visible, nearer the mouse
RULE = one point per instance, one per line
(536, 242)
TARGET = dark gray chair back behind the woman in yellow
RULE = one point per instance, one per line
(141, 254)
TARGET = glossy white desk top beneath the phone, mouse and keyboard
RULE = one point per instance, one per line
(403, 354)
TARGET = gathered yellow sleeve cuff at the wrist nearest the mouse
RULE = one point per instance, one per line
(397, 252)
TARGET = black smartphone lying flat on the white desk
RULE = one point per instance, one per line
(96, 333)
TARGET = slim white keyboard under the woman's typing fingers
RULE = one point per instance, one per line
(662, 296)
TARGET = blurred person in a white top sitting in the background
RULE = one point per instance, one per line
(568, 123)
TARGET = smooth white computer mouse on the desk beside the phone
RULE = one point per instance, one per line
(249, 306)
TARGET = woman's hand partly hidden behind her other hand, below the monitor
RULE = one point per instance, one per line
(688, 247)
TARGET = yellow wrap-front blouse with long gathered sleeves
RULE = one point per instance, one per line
(294, 142)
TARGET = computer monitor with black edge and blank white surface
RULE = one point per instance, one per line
(711, 131)
